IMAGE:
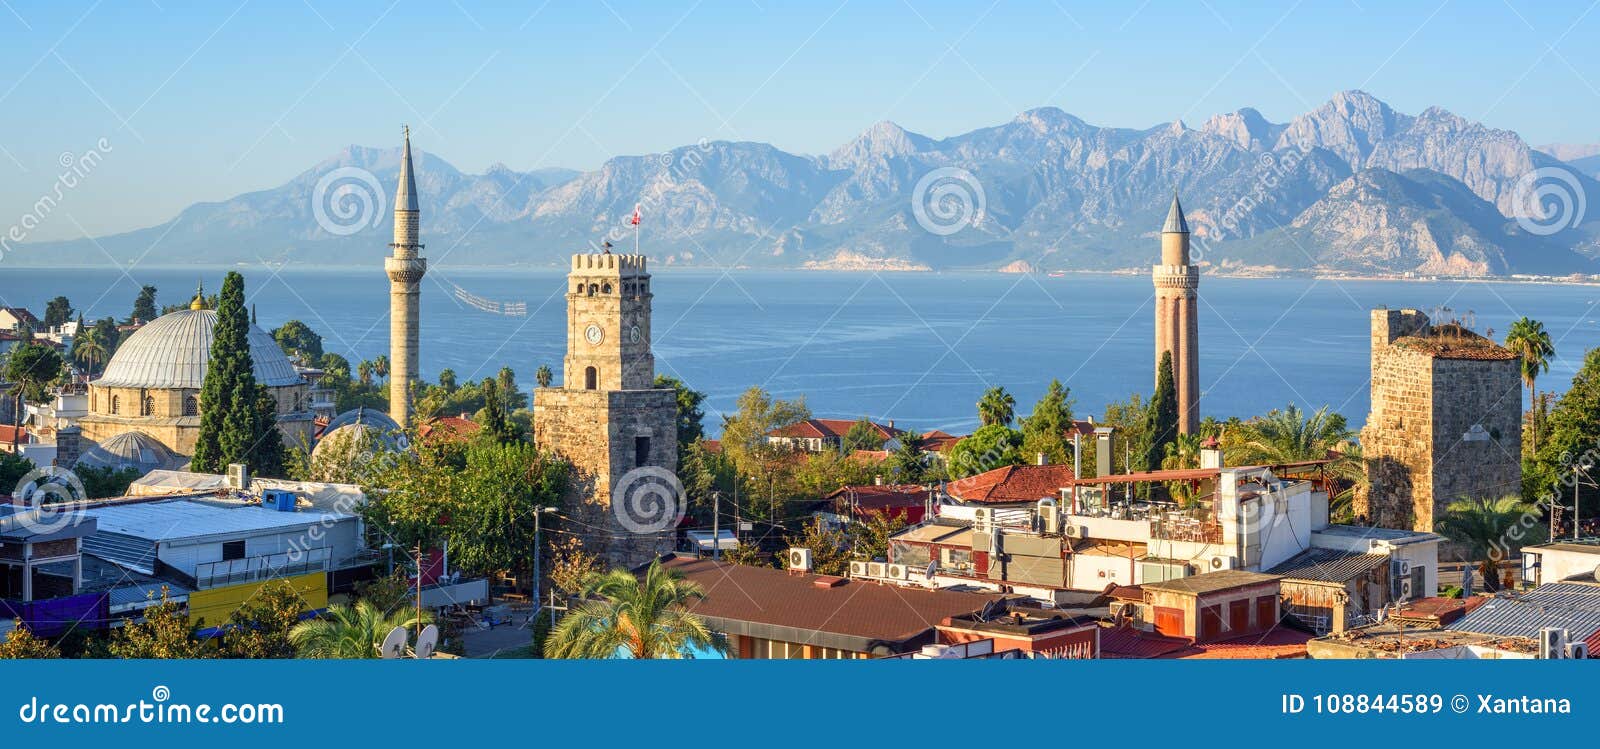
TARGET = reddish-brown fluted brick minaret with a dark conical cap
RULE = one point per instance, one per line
(1177, 321)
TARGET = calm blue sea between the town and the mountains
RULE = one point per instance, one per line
(913, 348)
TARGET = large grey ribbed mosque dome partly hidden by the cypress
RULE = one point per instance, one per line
(174, 351)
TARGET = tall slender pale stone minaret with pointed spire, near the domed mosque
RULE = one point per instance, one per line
(406, 279)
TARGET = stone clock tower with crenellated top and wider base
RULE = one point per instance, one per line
(607, 419)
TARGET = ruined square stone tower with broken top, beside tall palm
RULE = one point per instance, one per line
(1446, 422)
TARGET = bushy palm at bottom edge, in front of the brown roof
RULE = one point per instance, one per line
(646, 617)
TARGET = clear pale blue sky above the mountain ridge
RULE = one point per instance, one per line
(201, 102)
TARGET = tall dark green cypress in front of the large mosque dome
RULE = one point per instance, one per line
(230, 411)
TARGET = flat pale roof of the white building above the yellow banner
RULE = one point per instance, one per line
(186, 519)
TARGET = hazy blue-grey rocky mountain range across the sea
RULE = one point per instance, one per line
(1351, 186)
